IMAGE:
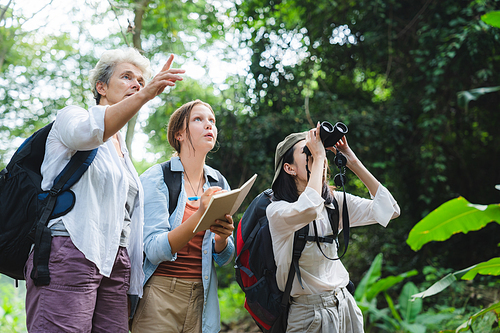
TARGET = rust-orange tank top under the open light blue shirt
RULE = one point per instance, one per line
(188, 262)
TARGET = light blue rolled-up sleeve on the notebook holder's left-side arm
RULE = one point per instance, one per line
(156, 216)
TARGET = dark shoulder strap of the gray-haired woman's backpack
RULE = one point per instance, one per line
(69, 176)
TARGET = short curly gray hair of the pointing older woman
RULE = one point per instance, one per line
(110, 59)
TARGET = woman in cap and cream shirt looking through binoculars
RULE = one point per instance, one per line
(321, 303)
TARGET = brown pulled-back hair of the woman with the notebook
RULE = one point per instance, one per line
(180, 119)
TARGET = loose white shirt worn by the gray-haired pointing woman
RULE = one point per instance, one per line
(95, 223)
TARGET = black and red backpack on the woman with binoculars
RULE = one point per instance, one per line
(256, 269)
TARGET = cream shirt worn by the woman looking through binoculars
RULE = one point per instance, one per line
(318, 273)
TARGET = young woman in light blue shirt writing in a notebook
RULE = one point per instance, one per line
(180, 294)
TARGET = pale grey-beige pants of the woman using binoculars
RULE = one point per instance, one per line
(330, 312)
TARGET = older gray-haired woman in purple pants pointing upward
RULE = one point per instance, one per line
(96, 251)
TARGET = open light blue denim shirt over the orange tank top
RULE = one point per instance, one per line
(158, 223)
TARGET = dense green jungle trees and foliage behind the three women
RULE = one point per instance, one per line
(416, 82)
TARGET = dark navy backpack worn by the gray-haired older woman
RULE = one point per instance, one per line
(25, 209)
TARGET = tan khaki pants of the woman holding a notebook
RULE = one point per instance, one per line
(169, 305)
